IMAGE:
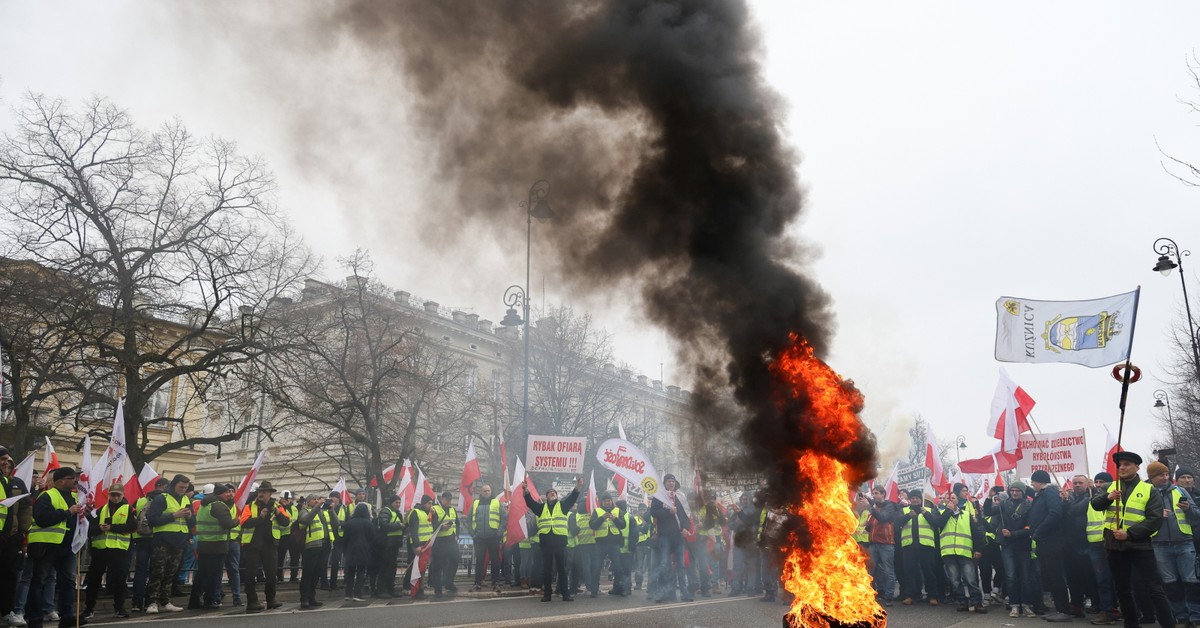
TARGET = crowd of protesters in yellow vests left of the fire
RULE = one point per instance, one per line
(675, 551)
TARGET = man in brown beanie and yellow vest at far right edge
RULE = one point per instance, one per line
(1173, 546)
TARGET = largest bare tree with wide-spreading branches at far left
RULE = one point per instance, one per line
(172, 236)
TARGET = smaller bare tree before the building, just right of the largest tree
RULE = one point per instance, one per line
(364, 382)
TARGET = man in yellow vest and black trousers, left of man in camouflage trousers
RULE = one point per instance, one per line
(111, 530)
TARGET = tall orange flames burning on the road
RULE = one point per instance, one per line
(824, 567)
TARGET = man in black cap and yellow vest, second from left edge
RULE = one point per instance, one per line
(56, 515)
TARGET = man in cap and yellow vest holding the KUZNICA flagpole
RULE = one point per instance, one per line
(1133, 515)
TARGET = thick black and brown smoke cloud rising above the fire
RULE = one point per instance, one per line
(671, 177)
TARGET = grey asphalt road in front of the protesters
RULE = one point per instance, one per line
(603, 612)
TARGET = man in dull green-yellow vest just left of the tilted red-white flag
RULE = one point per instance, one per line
(214, 522)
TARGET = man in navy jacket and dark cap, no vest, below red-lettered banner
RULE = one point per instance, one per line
(1047, 530)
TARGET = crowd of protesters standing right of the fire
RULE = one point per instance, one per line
(1099, 549)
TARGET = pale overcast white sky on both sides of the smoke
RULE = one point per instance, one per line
(953, 153)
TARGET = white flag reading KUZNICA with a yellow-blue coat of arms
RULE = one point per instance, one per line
(1093, 333)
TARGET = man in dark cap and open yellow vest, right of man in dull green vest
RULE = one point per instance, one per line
(261, 524)
